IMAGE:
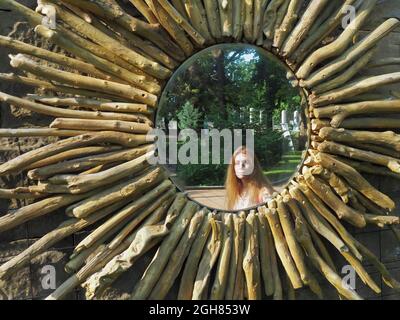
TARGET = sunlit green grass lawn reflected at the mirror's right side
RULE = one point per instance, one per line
(285, 168)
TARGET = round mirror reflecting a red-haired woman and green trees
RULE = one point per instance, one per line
(231, 128)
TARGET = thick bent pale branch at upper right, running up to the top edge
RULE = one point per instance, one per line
(338, 46)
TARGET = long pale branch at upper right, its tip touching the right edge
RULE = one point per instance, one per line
(351, 55)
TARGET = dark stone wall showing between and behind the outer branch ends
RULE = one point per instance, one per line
(26, 284)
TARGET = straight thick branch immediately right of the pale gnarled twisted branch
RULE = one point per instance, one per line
(153, 272)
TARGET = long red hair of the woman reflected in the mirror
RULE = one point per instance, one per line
(255, 182)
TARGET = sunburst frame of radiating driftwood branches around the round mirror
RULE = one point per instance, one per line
(105, 93)
